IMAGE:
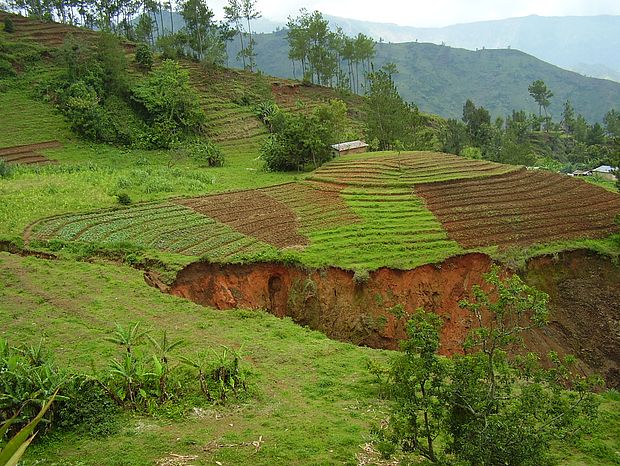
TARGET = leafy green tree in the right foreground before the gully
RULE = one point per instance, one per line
(489, 405)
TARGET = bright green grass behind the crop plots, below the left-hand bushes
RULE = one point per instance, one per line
(90, 175)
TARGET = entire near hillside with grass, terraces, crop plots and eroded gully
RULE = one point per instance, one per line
(305, 277)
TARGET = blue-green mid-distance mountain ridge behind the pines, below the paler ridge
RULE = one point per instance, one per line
(439, 79)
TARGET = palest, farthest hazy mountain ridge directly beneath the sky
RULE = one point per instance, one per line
(586, 44)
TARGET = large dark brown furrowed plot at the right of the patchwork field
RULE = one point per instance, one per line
(520, 208)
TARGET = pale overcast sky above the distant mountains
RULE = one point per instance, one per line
(433, 13)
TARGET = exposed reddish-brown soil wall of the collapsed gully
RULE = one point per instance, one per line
(584, 289)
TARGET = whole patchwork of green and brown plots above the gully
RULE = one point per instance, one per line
(363, 212)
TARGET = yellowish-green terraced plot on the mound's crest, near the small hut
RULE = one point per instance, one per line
(405, 170)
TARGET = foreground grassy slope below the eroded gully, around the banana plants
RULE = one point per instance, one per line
(314, 401)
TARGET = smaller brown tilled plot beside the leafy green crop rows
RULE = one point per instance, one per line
(252, 213)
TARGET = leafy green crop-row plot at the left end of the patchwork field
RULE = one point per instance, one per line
(164, 226)
